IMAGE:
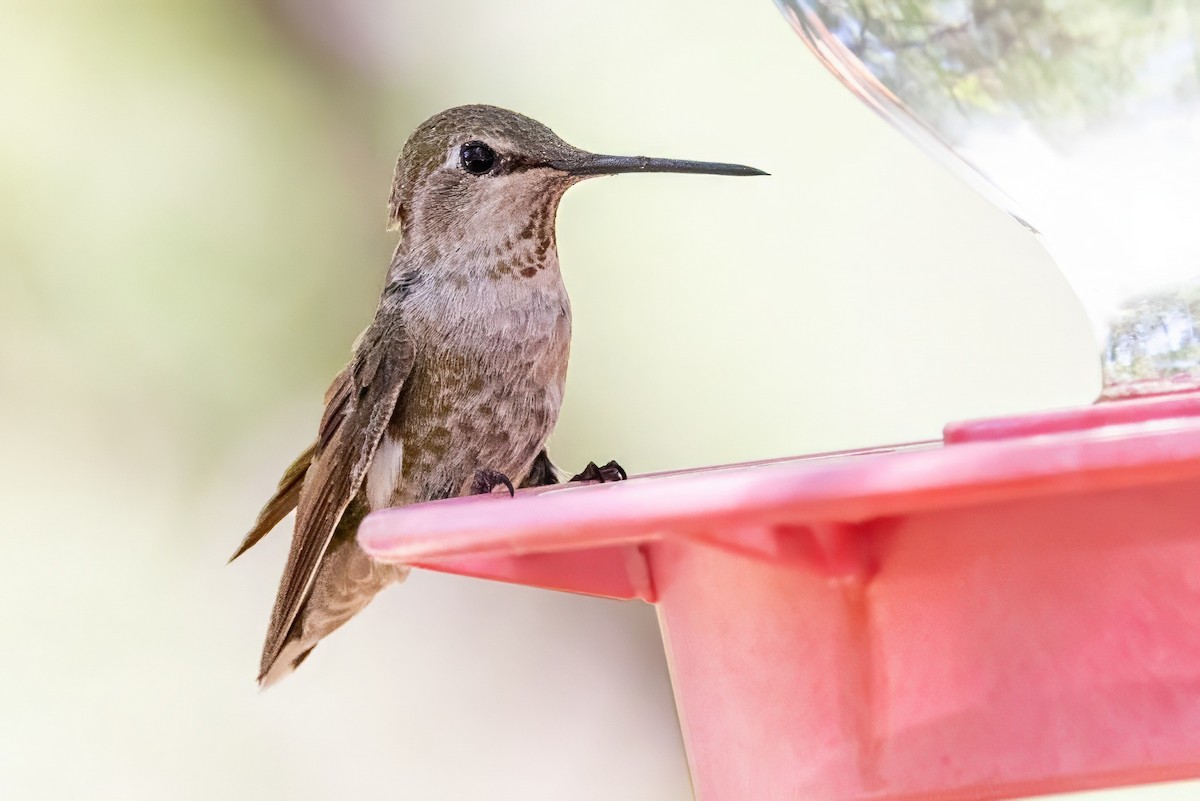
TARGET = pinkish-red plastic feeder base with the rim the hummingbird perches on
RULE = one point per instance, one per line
(1013, 613)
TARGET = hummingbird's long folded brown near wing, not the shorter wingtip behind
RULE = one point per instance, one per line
(358, 408)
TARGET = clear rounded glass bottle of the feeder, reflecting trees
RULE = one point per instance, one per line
(1081, 117)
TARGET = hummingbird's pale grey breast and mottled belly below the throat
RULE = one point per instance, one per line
(485, 392)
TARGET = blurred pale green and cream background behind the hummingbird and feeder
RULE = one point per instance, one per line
(191, 237)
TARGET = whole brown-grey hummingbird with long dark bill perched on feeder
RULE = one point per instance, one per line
(457, 384)
